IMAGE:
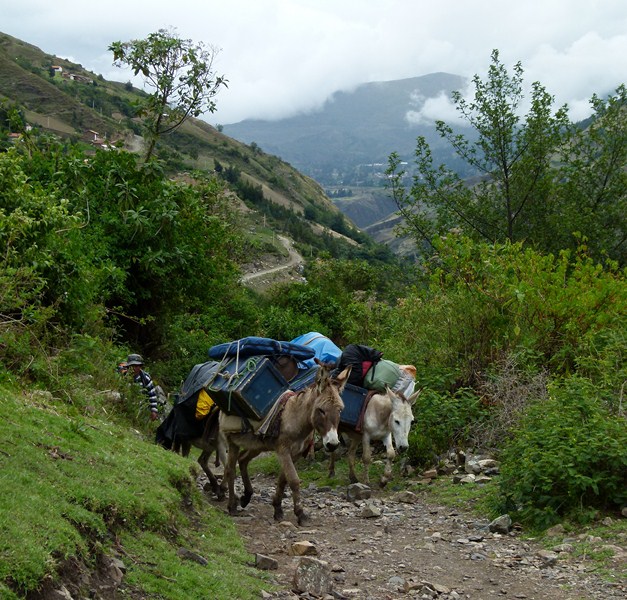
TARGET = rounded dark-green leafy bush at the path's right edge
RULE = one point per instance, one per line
(567, 456)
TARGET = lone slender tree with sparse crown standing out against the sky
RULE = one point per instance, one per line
(181, 74)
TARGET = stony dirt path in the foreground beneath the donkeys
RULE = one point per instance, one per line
(411, 550)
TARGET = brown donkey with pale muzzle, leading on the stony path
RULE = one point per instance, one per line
(314, 409)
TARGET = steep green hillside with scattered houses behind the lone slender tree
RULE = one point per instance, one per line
(60, 97)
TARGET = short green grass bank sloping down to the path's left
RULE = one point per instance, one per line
(76, 487)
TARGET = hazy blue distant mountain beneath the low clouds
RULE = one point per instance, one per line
(348, 141)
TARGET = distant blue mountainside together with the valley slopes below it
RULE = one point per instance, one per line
(346, 144)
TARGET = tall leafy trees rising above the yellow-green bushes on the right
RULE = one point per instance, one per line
(534, 174)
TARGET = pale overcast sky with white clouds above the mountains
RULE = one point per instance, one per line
(282, 57)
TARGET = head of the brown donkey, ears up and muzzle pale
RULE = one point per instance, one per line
(328, 405)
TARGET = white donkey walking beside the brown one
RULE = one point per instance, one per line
(388, 415)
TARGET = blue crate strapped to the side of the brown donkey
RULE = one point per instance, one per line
(248, 387)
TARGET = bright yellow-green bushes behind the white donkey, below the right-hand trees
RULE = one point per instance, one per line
(484, 301)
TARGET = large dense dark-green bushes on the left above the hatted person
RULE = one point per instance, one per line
(103, 245)
